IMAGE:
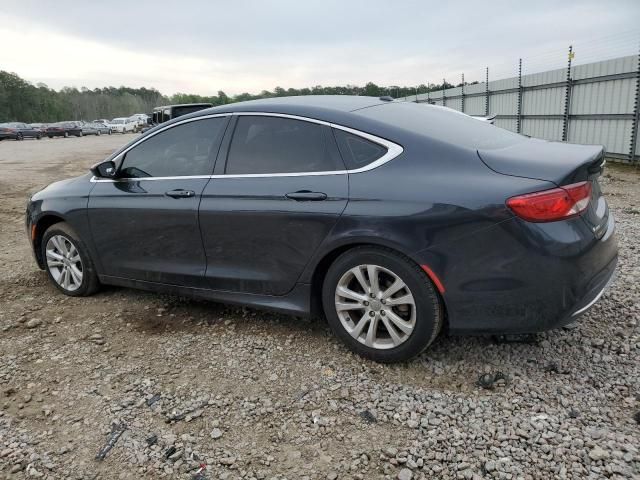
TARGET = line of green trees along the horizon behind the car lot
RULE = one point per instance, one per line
(23, 101)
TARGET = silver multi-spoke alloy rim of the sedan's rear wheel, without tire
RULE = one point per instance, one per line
(375, 306)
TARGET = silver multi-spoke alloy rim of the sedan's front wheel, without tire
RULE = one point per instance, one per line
(64, 262)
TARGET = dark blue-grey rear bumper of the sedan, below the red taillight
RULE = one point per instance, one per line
(518, 277)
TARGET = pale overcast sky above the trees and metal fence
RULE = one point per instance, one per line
(200, 46)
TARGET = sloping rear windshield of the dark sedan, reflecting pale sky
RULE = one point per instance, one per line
(443, 124)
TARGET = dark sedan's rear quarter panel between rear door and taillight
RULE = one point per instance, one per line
(432, 194)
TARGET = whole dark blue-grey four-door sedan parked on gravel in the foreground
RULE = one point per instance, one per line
(395, 220)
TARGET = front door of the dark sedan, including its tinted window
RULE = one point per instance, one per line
(145, 224)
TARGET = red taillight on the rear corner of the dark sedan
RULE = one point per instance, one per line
(551, 205)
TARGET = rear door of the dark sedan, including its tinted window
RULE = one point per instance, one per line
(279, 188)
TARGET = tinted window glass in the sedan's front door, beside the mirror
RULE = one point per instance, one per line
(183, 150)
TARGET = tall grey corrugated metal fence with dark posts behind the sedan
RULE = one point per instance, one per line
(594, 103)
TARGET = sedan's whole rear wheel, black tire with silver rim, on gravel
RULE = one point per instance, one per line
(417, 306)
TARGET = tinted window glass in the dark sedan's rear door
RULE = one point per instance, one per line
(263, 144)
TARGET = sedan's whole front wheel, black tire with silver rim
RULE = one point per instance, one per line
(55, 240)
